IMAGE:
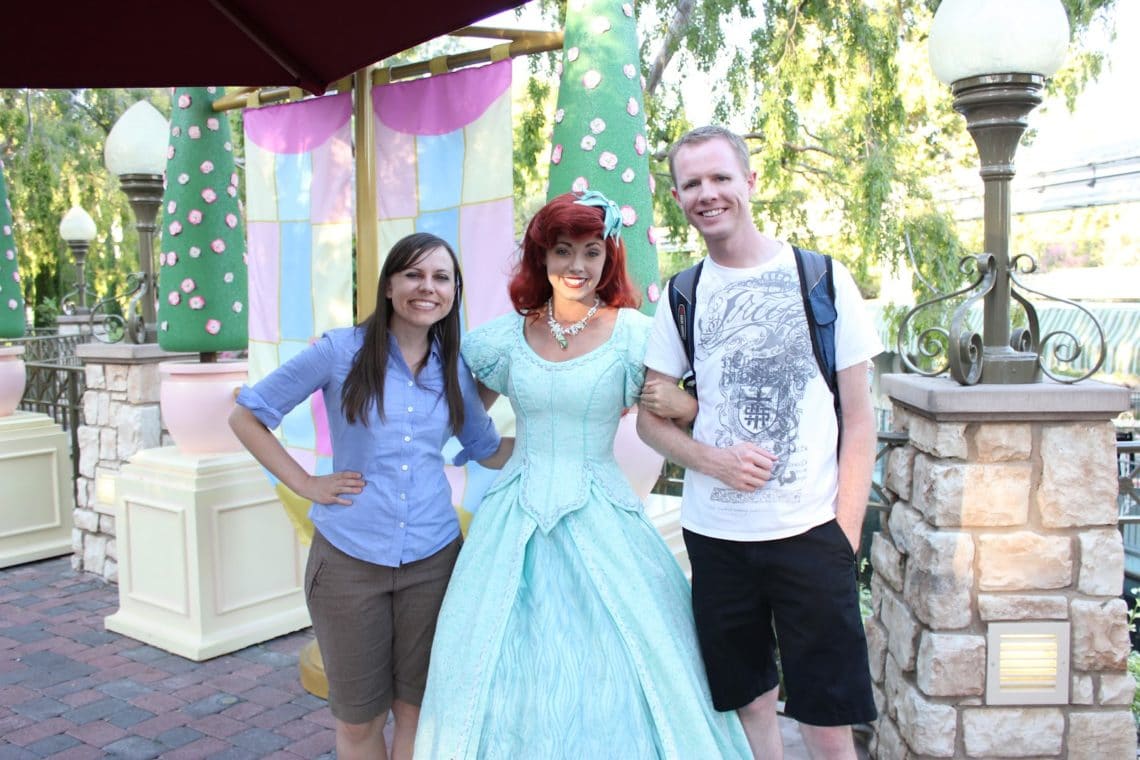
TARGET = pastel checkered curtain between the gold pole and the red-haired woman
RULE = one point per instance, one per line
(444, 164)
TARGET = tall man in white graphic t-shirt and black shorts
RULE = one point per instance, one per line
(775, 493)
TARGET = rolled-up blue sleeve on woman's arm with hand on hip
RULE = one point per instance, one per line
(279, 393)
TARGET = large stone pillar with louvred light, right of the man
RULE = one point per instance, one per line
(1005, 511)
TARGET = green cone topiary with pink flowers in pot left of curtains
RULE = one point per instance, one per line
(202, 280)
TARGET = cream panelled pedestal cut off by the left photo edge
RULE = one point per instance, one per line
(37, 500)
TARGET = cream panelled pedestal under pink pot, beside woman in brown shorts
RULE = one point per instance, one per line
(208, 561)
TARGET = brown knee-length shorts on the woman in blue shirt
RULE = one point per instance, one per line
(374, 626)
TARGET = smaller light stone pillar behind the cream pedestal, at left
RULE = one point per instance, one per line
(120, 418)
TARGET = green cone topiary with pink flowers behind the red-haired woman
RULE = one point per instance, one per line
(599, 140)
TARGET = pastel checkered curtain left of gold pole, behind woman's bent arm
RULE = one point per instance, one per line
(299, 211)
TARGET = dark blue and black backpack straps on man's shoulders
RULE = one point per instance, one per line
(818, 289)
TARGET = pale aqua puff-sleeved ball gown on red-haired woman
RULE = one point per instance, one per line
(567, 631)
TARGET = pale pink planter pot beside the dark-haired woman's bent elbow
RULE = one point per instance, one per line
(197, 401)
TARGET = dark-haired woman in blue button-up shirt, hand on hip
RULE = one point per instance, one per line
(387, 536)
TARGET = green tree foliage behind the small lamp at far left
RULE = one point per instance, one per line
(52, 143)
